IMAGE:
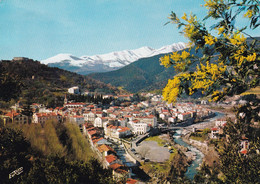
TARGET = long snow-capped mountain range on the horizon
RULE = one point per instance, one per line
(107, 62)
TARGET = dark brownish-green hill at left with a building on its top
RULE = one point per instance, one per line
(30, 81)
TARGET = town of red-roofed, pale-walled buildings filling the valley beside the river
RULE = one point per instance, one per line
(114, 131)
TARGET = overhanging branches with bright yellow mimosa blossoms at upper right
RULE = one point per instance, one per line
(229, 65)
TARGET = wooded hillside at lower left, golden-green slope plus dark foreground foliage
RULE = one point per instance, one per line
(54, 153)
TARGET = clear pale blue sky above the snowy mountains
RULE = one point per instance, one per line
(40, 29)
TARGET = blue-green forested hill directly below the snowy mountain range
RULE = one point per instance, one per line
(145, 74)
